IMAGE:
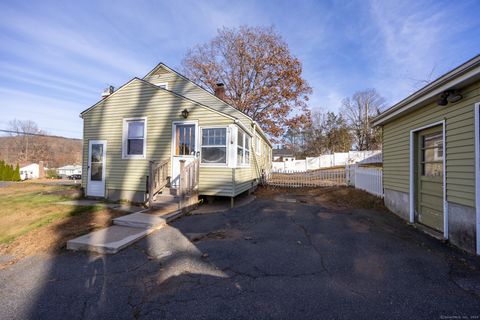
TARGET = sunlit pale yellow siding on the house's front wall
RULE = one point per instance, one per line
(139, 99)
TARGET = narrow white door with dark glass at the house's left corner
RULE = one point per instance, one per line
(97, 151)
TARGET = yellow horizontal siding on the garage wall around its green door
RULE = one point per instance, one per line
(459, 146)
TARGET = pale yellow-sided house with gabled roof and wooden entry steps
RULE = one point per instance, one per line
(165, 116)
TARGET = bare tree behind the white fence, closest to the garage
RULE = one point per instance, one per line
(359, 110)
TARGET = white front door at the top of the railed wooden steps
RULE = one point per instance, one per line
(184, 146)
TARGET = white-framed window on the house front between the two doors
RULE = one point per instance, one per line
(134, 138)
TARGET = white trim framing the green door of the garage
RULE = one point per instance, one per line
(412, 176)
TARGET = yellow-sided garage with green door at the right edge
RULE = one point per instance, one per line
(431, 156)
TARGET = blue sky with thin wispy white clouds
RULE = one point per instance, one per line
(57, 56)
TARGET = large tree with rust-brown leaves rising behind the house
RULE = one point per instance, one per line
(262, 78)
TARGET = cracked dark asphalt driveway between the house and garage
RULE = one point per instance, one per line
(266, 260)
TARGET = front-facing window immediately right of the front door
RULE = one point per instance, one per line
(214, 146)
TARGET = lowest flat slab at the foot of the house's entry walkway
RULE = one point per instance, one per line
(109, 240)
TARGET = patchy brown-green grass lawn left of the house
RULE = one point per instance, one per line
(33, 221)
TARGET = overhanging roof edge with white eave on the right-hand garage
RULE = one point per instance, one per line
(461, 76)
